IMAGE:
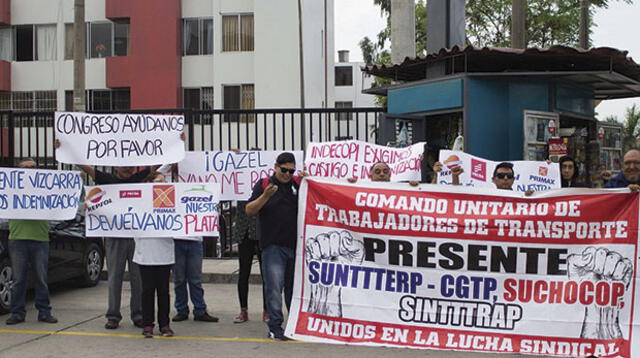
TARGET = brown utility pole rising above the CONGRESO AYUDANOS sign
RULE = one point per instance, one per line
(78, 56)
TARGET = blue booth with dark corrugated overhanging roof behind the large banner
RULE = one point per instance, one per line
(506, 103)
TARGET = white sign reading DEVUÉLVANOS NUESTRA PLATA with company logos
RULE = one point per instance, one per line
(152, 210)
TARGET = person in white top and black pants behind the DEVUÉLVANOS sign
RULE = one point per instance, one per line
(155, 257)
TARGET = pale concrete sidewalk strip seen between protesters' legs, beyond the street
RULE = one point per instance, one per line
(217, 271)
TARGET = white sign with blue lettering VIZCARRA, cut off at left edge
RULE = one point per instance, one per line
(39, 194)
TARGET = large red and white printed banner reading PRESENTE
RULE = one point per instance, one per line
(469, 269)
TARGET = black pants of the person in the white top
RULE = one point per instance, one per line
(155, 281)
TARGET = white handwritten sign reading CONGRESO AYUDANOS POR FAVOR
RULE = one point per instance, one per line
(118, 139)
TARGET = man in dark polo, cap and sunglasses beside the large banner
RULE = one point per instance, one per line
(275, 199)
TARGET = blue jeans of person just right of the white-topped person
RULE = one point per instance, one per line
(188, 271)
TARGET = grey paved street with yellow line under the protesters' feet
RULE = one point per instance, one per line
(80, 333)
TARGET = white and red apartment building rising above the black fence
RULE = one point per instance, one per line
(155, 54)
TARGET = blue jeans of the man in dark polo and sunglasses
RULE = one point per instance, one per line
(277, 274)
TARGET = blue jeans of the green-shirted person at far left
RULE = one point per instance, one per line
(25, 253)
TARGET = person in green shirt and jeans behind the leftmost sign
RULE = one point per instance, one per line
(29, 246)
